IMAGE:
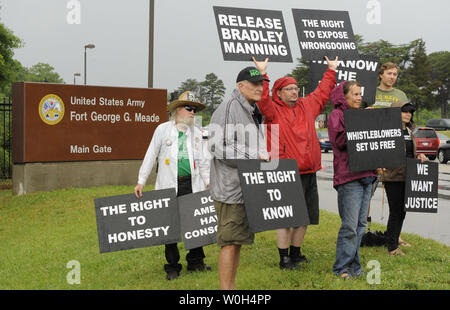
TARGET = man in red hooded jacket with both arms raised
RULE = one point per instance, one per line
(295, 118)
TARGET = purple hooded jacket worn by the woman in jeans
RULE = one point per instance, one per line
(338, 139)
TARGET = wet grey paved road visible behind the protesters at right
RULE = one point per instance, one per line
(434, 226)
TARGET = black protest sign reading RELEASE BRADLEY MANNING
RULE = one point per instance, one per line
(244, 33)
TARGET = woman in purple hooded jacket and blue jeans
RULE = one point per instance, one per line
(354, 188)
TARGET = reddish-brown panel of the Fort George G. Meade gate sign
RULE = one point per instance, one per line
(59, 122)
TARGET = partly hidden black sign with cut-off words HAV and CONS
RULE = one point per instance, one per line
(198, 219)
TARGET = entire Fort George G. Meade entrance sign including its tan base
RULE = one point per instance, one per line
(81, 136)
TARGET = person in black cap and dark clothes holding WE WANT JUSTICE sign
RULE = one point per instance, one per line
(394, 182)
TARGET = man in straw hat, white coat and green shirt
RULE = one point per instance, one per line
(179, 150)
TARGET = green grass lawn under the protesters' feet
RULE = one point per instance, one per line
(41, 232)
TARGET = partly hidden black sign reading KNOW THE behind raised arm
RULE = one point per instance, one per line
(363, 69)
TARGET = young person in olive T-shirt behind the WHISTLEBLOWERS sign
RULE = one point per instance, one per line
(386, 94)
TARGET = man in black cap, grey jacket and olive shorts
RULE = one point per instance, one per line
(241, 109)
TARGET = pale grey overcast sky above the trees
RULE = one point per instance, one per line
(186, 38)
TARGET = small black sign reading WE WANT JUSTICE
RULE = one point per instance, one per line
(421, 186)
